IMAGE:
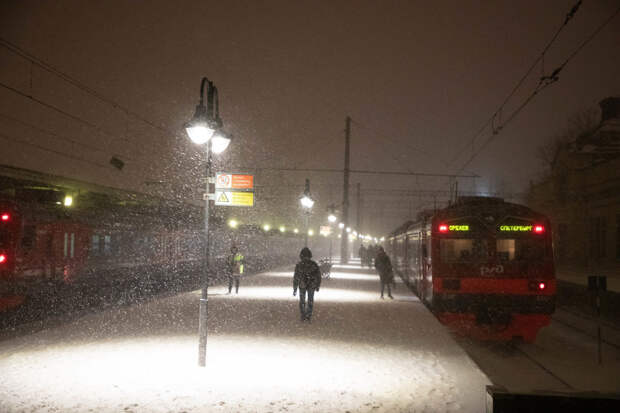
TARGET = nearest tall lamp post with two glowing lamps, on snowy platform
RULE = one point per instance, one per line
(205, 128)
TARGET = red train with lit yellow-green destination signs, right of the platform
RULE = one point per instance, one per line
(484, 267)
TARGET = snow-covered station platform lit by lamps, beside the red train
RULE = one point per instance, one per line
(360, 354)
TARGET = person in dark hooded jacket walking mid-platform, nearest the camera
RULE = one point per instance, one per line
(308, 278)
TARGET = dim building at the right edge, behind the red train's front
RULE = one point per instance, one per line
(581, 195)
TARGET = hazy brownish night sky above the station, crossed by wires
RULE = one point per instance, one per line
(418, 78)
